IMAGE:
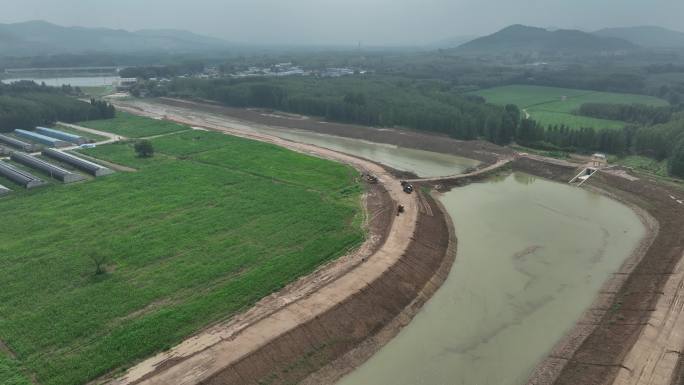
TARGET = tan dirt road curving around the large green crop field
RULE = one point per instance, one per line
(210, 353)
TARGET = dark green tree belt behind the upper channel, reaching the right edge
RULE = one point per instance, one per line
(429, 106)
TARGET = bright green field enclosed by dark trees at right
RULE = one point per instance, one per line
(555, 106)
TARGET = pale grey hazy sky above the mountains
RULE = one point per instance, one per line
(345, 21)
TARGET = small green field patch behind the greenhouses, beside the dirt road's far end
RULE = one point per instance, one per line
(133, 126)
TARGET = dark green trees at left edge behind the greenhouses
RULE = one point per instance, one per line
(25, 105)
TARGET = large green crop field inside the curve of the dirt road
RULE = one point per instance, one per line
(204, 229)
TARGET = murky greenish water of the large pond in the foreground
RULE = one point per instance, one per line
(532, 255)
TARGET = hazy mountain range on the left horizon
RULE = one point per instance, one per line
(40, 37)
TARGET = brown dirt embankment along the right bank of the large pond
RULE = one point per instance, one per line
(594, 353)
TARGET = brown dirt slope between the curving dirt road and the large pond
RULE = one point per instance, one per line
(338, 333)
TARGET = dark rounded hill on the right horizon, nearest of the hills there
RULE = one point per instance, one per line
(524, 39)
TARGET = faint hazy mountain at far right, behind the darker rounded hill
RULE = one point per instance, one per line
(646, 36)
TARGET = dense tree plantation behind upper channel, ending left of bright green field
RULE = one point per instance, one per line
(373, 101)
